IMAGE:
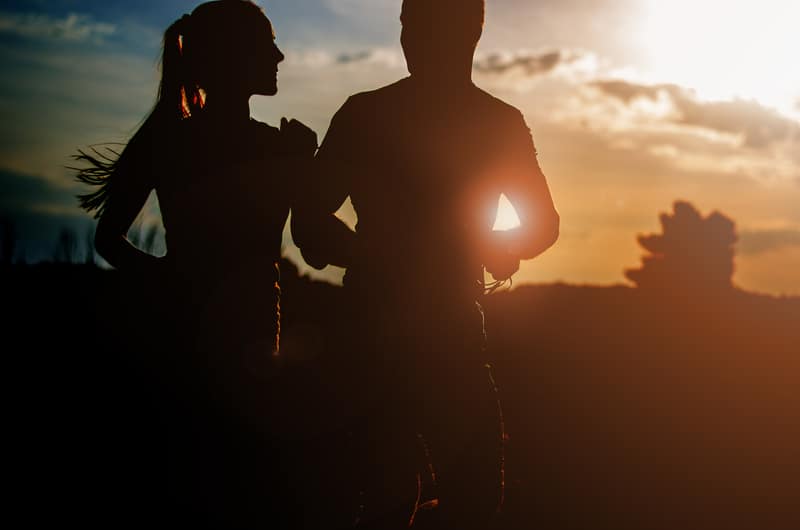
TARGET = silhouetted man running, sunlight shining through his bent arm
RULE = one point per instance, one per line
(424, 161)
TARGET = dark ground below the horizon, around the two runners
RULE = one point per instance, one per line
(624, 409)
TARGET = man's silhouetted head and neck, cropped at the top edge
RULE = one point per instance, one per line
(439, 36)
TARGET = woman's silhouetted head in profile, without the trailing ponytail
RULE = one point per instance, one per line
(223, 47)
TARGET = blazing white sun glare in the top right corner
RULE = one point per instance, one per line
(726, 48)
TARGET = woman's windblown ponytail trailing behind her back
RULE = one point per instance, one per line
(179, 96)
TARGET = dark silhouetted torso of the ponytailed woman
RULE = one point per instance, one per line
(224, 196)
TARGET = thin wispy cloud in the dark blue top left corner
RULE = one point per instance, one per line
(74, 27)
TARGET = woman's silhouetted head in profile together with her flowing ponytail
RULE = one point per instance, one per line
(225, 48)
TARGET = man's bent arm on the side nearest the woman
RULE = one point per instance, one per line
(322, 237)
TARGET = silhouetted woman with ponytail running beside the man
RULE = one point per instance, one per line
(224, 185)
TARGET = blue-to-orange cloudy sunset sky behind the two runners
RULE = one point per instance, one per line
(633, 104)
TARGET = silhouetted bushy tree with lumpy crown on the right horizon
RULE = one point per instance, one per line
(692, 252)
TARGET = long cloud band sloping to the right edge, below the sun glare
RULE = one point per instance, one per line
(759, 126)
